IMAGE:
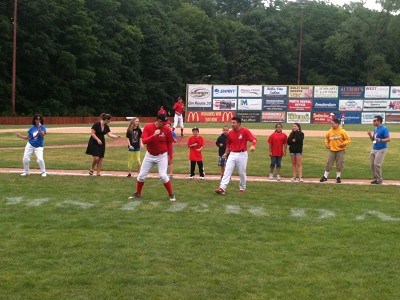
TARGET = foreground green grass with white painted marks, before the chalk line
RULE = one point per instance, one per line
(79, 237)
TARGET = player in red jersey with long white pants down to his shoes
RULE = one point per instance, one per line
(236, 148)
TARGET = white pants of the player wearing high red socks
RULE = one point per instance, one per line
(148, 163)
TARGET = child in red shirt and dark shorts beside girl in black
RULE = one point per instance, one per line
(277, 143)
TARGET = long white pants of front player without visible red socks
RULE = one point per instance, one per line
(238, 160)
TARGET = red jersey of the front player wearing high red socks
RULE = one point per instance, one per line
(158, 144)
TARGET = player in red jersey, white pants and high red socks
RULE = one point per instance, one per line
(158, 139)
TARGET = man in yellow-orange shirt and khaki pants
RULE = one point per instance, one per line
(336, 141)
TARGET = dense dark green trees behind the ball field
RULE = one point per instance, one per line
(127, 57)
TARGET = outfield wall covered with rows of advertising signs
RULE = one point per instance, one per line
(292, 103)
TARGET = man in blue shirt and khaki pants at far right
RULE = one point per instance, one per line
(379, 139)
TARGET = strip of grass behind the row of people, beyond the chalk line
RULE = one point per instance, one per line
(314, 158)
